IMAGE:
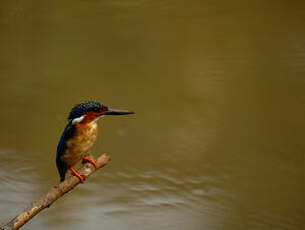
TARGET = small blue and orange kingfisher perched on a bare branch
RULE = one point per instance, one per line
(79, 136)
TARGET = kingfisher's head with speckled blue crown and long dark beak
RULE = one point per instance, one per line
(91, 110)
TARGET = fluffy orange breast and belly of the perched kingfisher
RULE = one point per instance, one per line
(81, 143)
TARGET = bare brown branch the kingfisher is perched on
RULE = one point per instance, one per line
(53, 194)
